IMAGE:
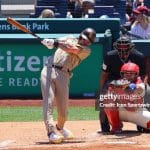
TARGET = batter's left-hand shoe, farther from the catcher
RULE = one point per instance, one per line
(55, 138)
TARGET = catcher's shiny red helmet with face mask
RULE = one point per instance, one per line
(130, 71)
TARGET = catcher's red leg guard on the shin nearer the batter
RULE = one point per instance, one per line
(113, 117)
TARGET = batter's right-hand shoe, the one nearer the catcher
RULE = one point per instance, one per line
(68, 135)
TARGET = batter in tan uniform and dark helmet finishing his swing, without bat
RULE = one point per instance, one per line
(55, 78)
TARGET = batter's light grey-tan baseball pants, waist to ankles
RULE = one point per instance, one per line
(55, 86)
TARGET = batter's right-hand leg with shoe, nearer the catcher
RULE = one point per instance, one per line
(62, 97)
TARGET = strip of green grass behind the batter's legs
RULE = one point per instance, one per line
(16, 114)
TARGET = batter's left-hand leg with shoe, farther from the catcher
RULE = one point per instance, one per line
(48, 90)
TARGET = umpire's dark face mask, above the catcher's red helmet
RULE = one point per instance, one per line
(123, 45)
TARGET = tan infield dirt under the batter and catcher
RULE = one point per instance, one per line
(32, 136)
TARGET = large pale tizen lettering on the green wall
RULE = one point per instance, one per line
(20, 63)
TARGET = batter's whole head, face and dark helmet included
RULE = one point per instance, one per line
(88, 36)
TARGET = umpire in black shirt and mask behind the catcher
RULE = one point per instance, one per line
(124, 51)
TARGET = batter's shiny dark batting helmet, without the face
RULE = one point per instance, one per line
(89, 34)
